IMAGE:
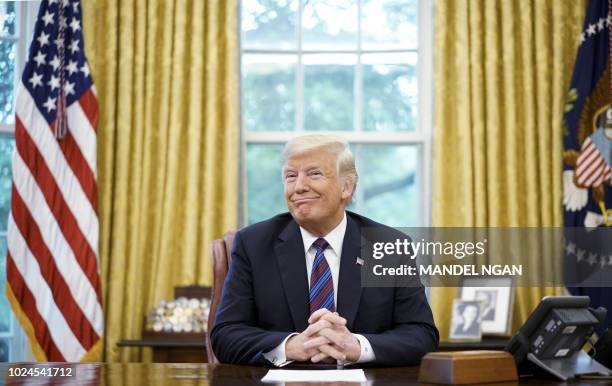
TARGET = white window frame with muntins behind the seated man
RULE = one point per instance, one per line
(421, 137)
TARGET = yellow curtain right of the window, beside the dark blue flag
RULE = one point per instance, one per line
(502, 72)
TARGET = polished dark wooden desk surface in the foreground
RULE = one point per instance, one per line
(200, 374)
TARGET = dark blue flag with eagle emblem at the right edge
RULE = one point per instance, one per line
(587, 160)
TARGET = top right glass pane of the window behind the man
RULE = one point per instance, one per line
(388, 24)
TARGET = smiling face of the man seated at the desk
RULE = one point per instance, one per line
(315, 194)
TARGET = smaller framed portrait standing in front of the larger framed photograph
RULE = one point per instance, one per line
(466, 321)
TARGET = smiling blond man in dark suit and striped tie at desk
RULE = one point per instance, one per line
(293, 291)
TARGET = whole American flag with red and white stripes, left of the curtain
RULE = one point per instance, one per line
(53, 282)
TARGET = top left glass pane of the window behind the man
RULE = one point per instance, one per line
(269, 23)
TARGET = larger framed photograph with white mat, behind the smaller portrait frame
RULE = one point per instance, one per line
(497, 298)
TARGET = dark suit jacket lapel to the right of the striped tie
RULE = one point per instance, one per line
(349, 282)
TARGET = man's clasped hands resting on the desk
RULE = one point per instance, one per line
(326, 338)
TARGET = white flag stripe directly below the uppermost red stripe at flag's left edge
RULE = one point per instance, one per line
(82, 287)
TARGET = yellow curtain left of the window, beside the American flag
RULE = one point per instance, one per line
(166, 73)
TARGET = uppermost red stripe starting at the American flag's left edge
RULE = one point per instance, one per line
(56, 202)
